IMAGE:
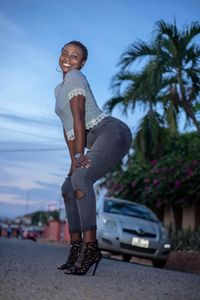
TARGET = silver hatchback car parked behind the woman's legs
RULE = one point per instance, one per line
(131, 229)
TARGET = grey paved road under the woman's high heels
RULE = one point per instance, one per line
(28, 271)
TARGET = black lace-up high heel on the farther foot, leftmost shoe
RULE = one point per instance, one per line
(75, 248)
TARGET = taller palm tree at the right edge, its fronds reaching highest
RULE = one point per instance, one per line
(176, 58)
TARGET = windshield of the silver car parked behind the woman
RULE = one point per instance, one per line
(128, 209)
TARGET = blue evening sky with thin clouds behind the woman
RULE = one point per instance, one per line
(34, 159)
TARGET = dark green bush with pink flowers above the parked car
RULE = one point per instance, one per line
(173, 179)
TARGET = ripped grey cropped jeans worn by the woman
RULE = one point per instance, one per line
(108, 142)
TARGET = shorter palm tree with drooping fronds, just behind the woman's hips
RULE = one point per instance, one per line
(142, 89)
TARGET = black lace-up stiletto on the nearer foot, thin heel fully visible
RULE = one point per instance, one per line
(89, 255)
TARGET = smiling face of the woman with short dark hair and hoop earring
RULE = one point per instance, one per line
(71, 58)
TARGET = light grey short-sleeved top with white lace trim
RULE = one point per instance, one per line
(75, 83)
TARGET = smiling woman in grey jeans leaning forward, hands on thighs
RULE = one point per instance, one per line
(107, 139)
